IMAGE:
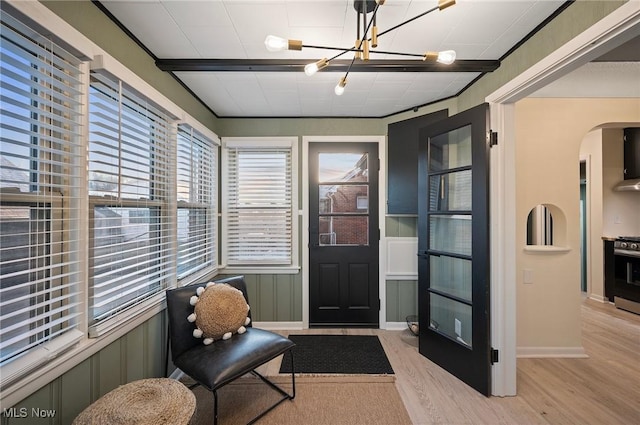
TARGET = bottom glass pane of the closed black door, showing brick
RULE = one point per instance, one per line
(344, 230)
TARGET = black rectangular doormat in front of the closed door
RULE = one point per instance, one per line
(344, 354)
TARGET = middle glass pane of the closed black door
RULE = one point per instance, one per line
(343, 199)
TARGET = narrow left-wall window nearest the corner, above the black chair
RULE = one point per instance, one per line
(197, 202)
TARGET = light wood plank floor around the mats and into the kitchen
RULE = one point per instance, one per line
(601, 390)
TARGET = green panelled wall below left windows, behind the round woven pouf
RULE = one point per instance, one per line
(139, 354)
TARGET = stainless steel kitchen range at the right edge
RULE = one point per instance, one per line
(626, 250)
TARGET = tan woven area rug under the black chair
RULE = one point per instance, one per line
(322, 400)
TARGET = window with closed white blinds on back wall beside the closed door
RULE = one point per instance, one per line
(260, 199)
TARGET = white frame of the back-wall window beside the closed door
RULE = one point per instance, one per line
(268, 143)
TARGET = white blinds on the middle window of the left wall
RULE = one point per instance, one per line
(130, 183)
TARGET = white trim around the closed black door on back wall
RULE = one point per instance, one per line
(382, 181)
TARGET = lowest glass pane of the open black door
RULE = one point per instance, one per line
(451, 318)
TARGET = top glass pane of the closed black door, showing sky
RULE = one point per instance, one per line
(343, 167)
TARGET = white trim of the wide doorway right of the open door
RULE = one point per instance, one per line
(614, 29)
